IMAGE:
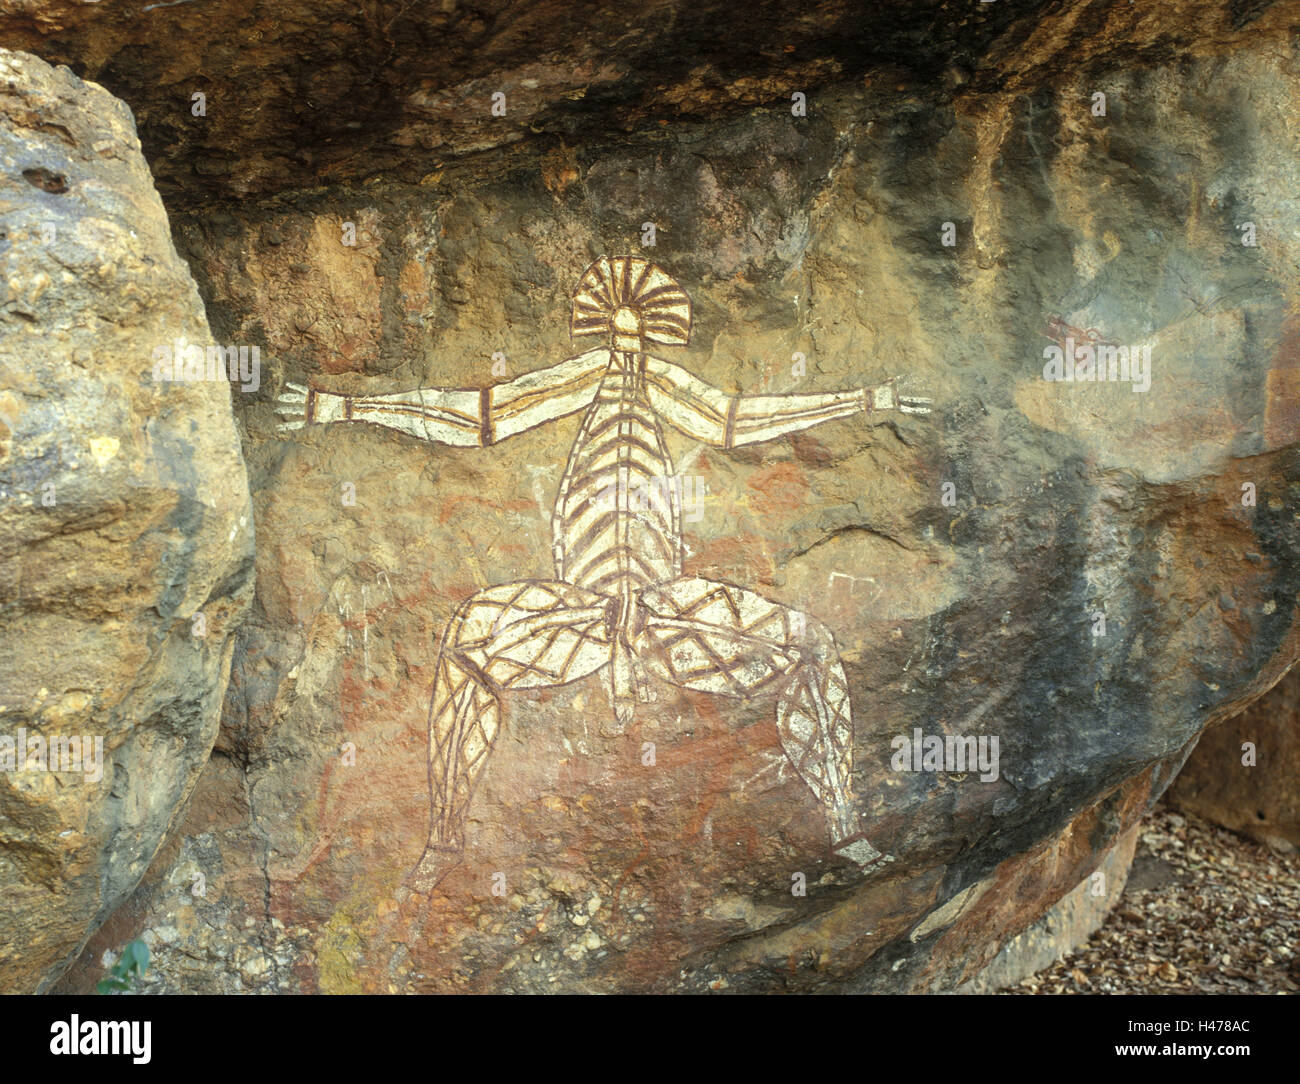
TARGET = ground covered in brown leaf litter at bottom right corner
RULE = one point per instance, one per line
(1204, 912)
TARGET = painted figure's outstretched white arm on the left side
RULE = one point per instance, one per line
(465, 417)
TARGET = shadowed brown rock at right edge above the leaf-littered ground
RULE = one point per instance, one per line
(1246, 773)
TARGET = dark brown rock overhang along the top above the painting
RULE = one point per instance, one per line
(332, 92)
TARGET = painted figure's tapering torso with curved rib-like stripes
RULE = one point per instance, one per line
(617, 523)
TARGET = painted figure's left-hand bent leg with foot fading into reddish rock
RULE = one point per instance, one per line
(515, 636)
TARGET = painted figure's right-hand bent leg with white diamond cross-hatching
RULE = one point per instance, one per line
(721, 639)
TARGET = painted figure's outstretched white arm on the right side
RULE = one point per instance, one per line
(701, 411)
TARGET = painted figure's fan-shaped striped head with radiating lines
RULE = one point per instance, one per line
(631, 302)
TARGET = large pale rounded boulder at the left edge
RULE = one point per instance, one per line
(125, 524)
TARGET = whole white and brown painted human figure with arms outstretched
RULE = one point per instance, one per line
(621, 604)
